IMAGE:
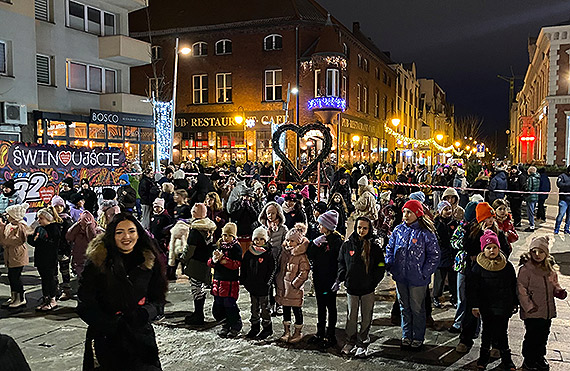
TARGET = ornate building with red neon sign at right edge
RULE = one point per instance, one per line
(540, 116)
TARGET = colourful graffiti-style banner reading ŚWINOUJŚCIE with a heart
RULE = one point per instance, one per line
(37, 169)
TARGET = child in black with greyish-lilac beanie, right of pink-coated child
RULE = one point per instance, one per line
(323, 255)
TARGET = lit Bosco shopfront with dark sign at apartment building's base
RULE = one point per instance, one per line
(134, 134)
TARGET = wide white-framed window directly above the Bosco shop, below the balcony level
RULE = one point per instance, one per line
(91, 78)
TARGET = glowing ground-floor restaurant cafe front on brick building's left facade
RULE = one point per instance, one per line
(219, 138)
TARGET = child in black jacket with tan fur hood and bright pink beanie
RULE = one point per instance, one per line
(492, 292)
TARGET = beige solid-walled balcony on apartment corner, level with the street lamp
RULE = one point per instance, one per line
(125, 50)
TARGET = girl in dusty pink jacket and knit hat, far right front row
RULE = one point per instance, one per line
(537, 287)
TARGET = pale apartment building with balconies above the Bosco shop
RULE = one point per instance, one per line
(64, 61)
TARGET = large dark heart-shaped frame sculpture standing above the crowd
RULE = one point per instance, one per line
(301, 131)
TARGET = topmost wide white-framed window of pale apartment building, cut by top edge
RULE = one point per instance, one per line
(90, 19)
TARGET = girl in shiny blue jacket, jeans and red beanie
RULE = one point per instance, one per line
(412, 256)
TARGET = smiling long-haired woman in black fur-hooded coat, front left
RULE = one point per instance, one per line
(121, 290)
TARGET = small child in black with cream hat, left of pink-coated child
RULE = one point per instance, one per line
(256, 275)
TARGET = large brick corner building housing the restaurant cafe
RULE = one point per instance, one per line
(243, 58)
